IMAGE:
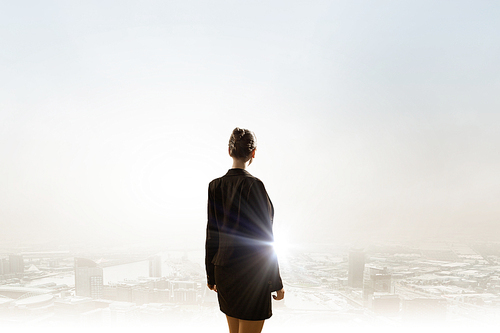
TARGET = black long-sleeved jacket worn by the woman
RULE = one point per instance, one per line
(239, 228)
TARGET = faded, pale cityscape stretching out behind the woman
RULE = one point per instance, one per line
(440, 283)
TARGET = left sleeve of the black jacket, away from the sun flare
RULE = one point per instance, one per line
(212, 239)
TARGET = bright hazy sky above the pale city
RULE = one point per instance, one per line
(375, 119)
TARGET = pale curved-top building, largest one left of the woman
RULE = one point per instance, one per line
(88, 278)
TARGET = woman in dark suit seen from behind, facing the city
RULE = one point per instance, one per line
(240, 261)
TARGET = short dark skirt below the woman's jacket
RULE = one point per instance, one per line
(243, 291)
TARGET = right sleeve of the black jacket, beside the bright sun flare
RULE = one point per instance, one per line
(265, 214)
